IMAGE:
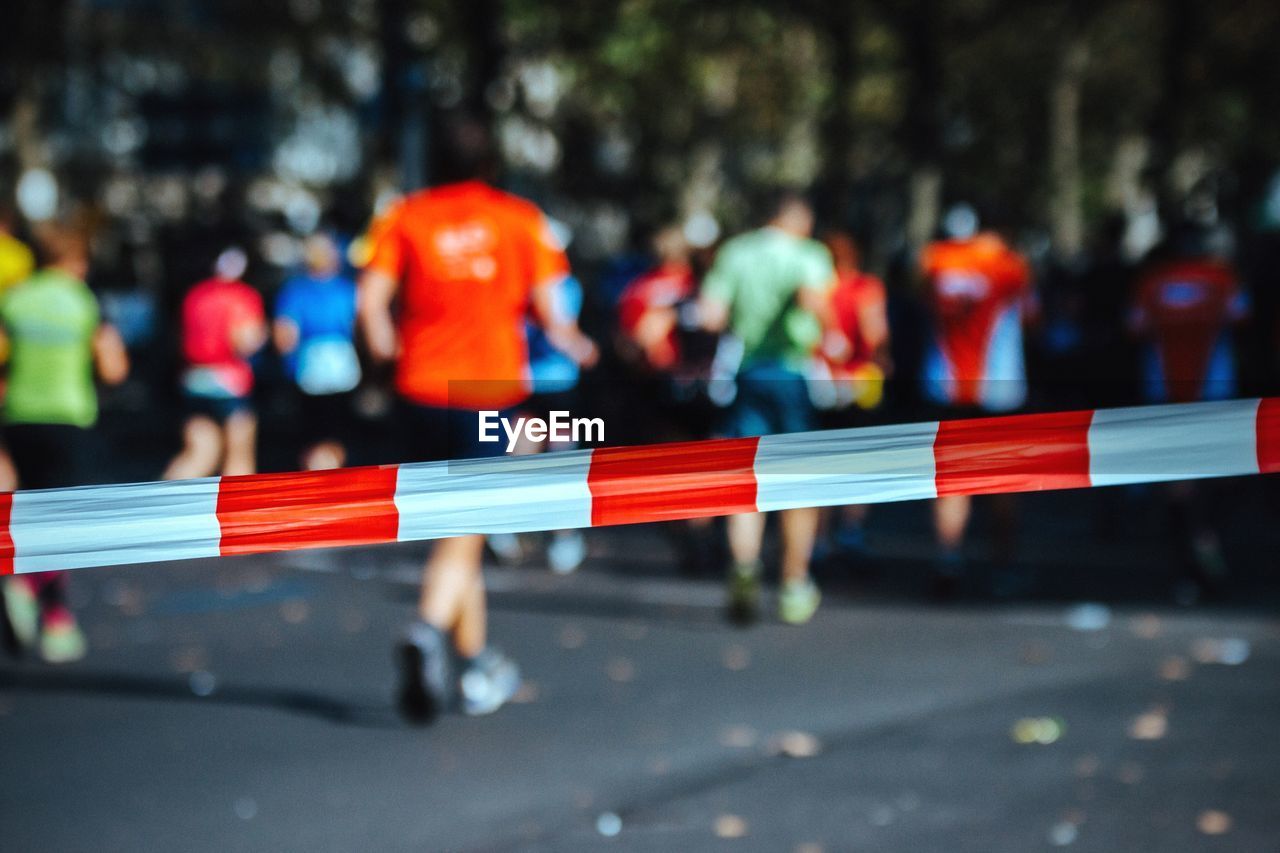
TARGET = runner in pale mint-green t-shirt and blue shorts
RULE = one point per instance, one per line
(771, 290)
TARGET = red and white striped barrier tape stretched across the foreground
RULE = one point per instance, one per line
(106, 526)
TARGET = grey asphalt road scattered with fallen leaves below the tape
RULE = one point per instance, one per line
(245, 705)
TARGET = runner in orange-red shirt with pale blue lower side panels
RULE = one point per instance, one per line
(980, 293)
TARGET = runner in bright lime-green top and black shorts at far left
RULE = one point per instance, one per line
(56, 343)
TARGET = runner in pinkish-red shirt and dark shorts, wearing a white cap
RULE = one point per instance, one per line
(223, 325)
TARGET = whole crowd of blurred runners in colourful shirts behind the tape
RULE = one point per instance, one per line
(465, 294)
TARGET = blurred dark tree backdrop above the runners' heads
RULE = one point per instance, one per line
(272, 118)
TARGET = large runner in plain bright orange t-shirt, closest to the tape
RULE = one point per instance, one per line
(469, 264)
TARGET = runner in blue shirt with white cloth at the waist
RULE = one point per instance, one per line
(314, 331)
